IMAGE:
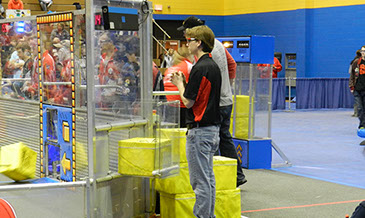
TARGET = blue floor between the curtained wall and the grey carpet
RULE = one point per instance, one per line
(321, 144)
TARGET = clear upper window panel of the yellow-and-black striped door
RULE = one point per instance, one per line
(56, 62)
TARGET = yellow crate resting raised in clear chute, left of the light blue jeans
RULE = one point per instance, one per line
(140, 156)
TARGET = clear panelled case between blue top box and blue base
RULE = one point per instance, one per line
(252, 96)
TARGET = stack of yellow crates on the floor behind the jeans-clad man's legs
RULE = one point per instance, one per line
(177, 197)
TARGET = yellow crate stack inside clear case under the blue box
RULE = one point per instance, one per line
(242, 114)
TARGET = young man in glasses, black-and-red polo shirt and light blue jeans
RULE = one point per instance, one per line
(201, 96)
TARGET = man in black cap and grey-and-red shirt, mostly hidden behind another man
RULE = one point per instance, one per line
(227, 67)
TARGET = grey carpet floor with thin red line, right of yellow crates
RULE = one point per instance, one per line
(269, 194)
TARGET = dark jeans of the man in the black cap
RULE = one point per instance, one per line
(226, 145)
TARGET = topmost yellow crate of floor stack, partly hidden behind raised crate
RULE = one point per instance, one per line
(178, 139)
